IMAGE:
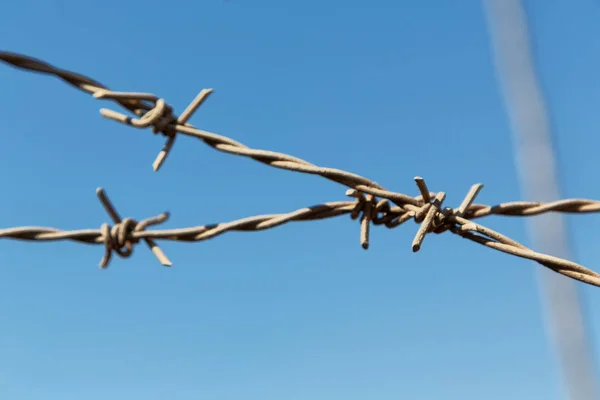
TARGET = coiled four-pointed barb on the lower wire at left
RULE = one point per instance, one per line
(121, 237)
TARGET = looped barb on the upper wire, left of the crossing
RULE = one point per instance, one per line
(154, 112)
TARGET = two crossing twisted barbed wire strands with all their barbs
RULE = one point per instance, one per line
(372, 203)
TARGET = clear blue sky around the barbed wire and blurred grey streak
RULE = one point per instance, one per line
(387, 89)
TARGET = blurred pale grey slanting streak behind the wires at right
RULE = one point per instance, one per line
(537, 169)
